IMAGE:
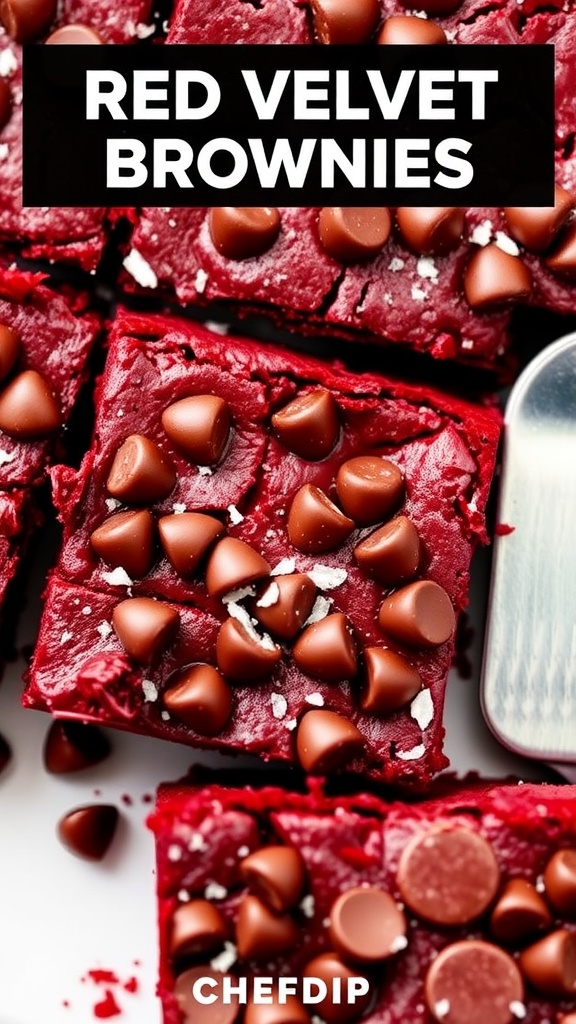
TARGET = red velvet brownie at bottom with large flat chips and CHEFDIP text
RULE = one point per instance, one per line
(458, 911)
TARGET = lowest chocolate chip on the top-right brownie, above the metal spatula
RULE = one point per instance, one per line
(495, 278)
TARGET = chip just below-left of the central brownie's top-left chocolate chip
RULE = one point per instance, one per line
(141, 472)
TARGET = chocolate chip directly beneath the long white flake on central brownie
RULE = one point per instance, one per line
(244, 658)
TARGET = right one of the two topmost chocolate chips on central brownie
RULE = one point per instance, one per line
(309, 425)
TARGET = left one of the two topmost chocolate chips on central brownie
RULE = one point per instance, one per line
(199, 426)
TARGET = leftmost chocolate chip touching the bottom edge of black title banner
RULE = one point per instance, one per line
(239, 233)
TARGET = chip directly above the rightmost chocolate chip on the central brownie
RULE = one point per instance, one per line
(392, 554)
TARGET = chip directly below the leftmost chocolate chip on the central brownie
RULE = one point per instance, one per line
(145, 627)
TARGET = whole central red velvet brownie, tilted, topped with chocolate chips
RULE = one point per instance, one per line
(265, 553)
